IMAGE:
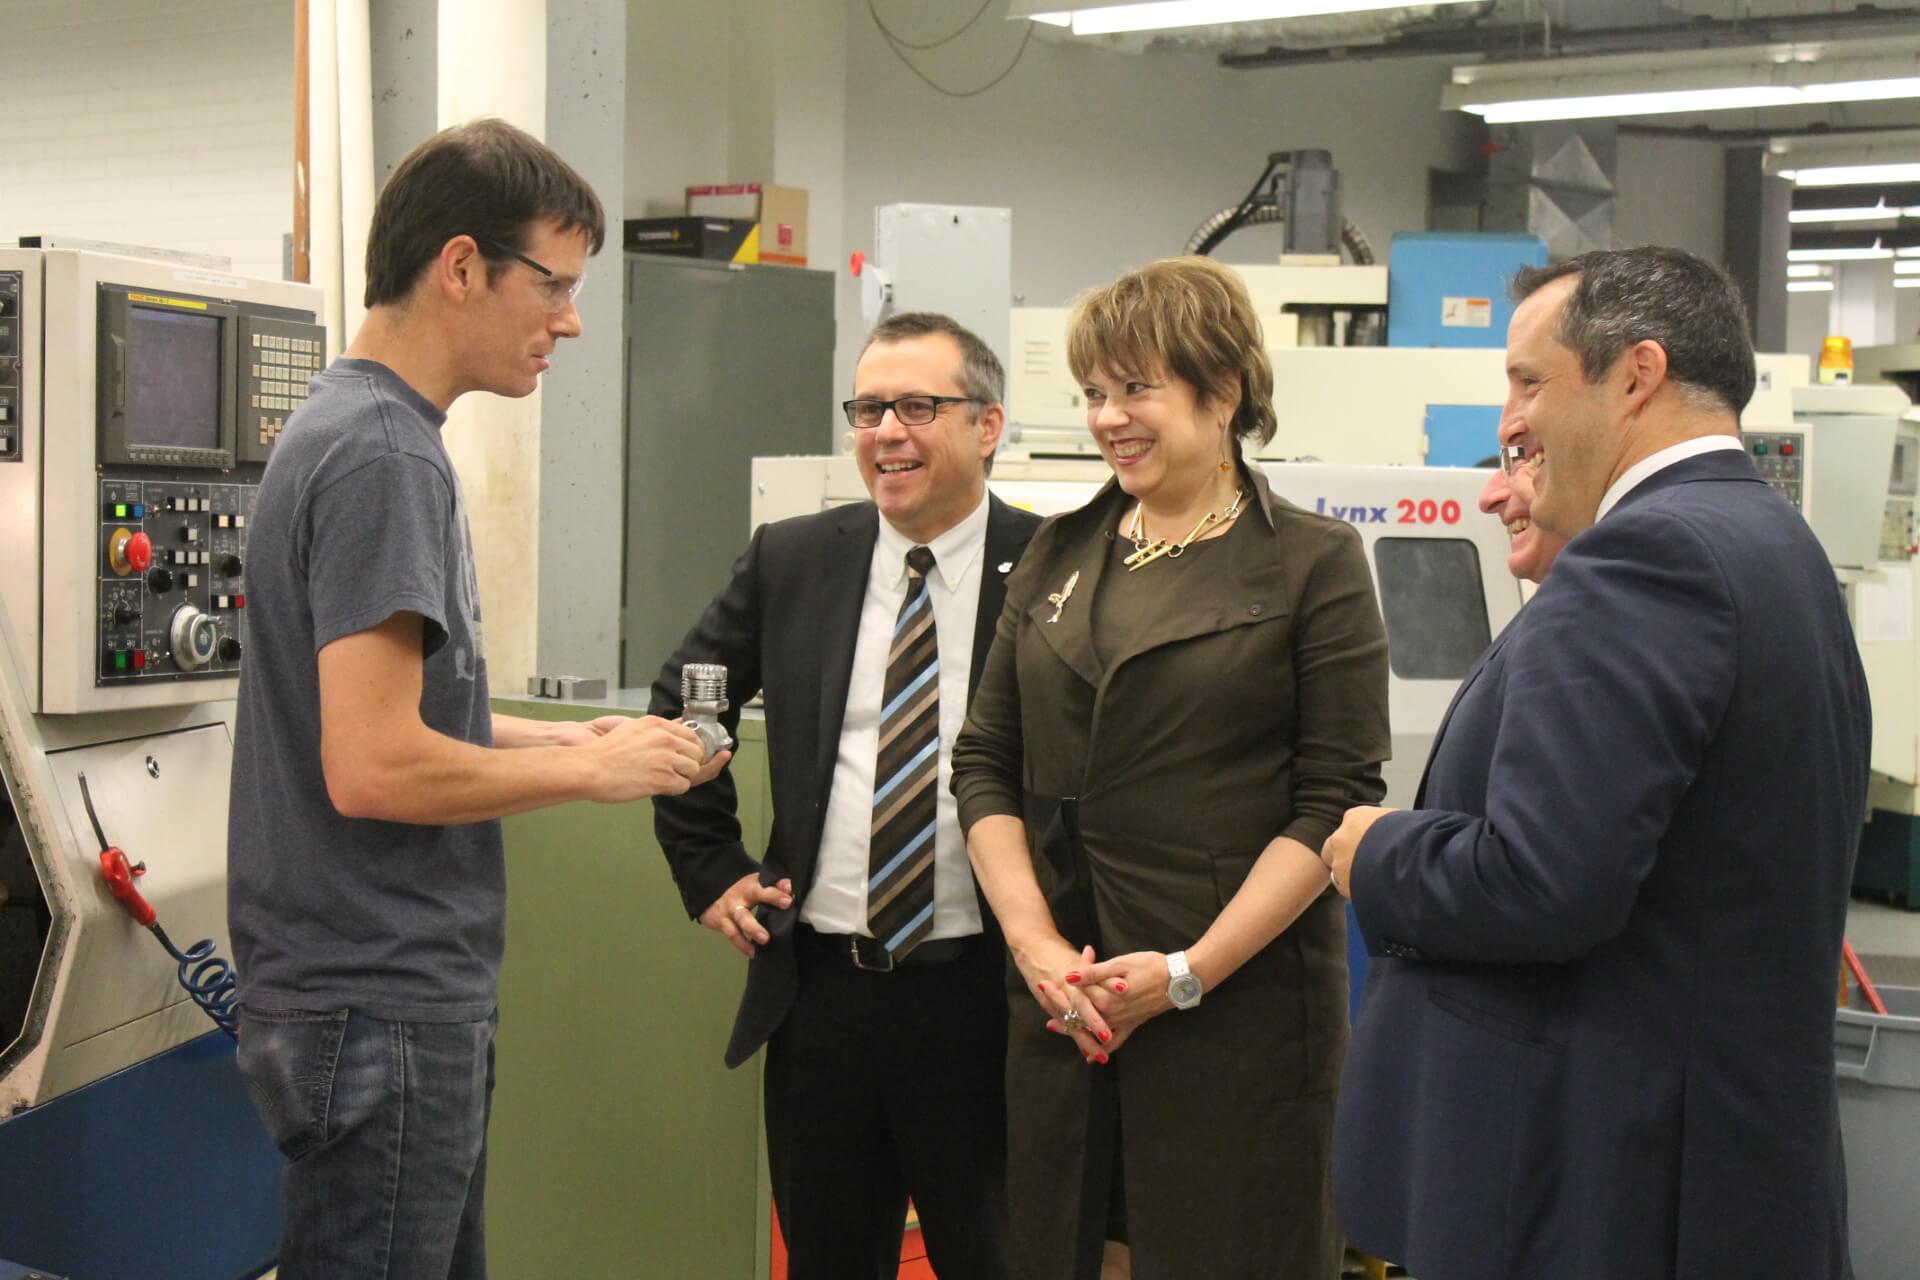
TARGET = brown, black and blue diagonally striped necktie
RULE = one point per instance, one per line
(900, 888)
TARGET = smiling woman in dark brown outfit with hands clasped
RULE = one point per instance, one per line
(1186, 694)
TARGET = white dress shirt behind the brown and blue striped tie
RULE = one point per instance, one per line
(838, 899)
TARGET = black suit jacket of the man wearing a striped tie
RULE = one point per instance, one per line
(786, 627)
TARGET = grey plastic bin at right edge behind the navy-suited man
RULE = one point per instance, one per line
(1879, 1064)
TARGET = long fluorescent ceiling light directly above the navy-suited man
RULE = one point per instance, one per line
(1781, 76)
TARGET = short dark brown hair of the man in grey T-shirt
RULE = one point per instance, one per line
(485, 179)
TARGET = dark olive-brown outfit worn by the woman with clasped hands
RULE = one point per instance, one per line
(1241, 696)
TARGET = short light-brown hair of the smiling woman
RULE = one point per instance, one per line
(1182, 316)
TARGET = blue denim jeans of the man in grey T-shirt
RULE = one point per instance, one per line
(383, 1127)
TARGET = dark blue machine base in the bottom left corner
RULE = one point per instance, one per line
(160, 1172)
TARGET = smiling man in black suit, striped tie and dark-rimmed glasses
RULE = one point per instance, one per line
(876, 972)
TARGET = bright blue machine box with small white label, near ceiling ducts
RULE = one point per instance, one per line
(1451, 289)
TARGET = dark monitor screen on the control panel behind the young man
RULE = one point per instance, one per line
(174, 377)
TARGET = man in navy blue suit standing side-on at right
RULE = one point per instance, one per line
(1598, 1030)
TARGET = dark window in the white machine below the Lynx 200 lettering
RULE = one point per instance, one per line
(1433, 604)
